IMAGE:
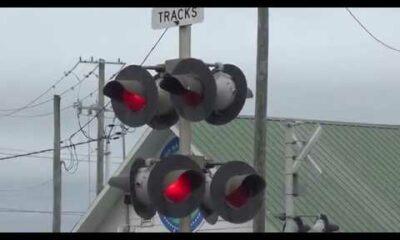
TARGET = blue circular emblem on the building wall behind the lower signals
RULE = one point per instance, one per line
(172, 224)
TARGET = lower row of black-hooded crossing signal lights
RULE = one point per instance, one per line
(176, 185)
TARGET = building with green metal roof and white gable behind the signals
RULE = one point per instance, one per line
(358, 188)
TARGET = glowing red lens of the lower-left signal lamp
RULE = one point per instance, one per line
(179, 190)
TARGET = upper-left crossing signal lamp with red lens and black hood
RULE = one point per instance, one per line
(137, 99)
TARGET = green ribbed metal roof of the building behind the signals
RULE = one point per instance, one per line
(359, 185)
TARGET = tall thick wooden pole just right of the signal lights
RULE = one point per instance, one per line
(261, 109)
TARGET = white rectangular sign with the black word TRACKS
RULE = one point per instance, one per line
(171, 17)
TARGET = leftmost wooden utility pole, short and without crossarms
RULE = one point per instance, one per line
(57, 167)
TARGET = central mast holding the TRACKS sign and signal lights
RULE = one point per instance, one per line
(185, 131)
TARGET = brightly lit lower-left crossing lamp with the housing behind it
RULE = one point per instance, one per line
(174, 186)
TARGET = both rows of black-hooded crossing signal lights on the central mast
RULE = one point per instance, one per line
(177, 185)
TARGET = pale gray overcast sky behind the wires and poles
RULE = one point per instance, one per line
(322, 66)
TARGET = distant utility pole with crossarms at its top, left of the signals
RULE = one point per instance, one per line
(100, 129)
